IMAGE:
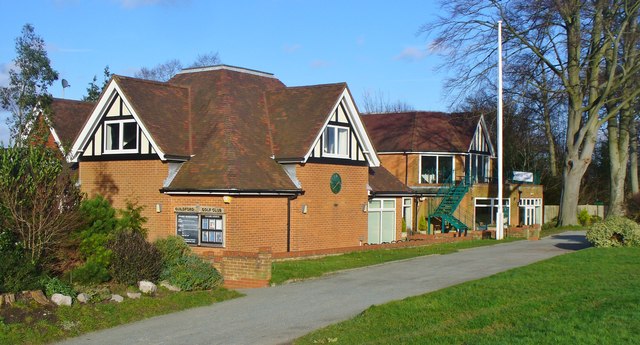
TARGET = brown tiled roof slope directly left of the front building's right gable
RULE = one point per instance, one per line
(297, 115)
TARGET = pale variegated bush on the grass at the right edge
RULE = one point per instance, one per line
(614, 232)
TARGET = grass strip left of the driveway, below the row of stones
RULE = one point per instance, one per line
(44, 325)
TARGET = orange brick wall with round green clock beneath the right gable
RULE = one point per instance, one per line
(332, 220)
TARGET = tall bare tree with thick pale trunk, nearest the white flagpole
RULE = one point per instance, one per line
(570, 38)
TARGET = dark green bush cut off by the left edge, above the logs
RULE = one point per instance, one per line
(17, 271)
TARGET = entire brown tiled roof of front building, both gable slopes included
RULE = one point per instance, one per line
(233, 124)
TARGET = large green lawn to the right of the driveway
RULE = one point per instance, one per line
(587, 297)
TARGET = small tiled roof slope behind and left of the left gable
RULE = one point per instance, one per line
(67, 118)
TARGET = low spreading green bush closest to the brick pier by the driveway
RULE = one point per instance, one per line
(192, 273)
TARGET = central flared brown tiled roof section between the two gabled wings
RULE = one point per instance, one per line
(232, 145)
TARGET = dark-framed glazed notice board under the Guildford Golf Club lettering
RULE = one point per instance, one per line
(201, 229)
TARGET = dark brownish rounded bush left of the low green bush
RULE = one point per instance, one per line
(134, 259)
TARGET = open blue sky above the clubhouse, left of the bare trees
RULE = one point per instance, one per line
(372, 45)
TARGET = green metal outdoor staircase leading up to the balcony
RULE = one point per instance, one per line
(451, 194)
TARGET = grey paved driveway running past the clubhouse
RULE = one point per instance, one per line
(279, 314)
